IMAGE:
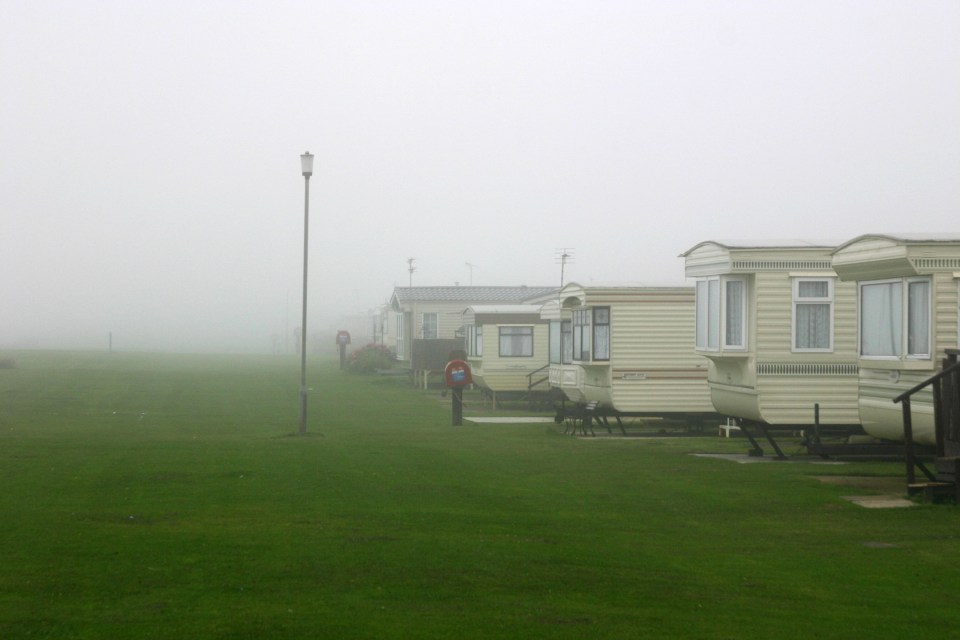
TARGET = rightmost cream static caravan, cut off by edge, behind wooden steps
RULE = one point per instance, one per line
(907, 287)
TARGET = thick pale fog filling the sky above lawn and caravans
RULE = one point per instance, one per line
(150, 185)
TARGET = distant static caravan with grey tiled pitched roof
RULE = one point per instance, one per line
(427, 321)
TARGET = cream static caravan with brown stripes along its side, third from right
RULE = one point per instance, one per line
(629, 349)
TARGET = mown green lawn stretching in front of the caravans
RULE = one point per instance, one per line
(162, 496)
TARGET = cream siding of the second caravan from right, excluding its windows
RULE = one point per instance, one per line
(771, 382)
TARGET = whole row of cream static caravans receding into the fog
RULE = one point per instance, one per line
(767, 332)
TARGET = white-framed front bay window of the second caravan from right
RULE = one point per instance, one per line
(721, 311)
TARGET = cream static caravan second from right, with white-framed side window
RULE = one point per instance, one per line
(778, 329)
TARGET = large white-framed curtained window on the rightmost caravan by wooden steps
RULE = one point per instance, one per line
(895, 318)
